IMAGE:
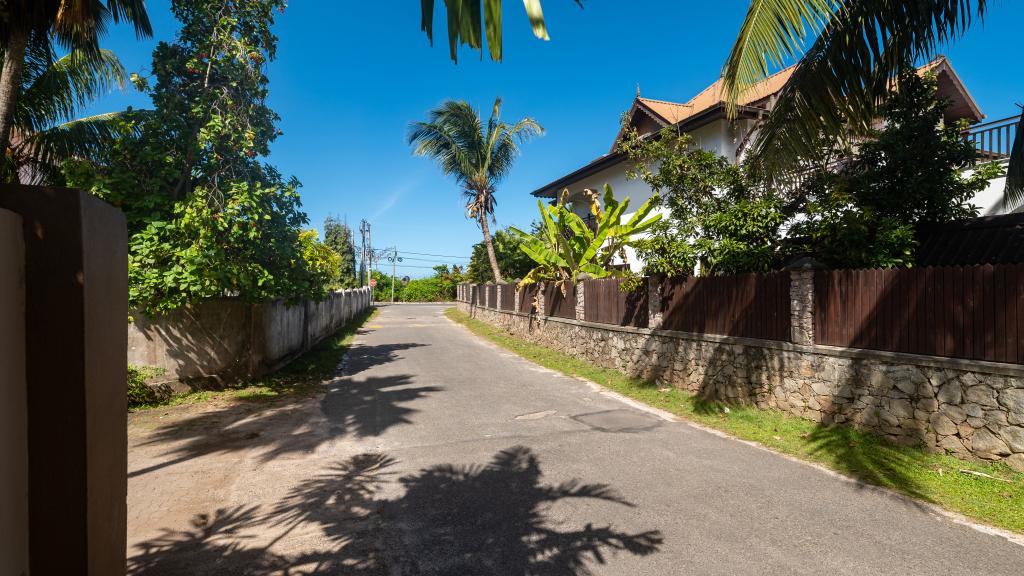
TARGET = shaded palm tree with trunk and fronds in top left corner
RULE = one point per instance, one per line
(32, 26)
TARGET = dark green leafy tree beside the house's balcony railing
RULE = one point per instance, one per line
(909, 175)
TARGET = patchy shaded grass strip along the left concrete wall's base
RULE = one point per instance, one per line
(303, 376)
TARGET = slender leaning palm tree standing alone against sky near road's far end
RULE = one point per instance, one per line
(478, 156)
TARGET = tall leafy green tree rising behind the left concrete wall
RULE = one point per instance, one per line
(208, 217)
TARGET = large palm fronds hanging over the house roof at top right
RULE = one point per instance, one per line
(855, 52)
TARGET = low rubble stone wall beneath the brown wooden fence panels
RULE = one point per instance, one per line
(964, 407)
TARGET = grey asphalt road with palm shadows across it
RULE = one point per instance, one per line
(437, 452)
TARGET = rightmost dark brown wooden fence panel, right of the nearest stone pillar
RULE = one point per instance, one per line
(960, 312)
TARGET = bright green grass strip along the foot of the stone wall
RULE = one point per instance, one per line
(916, 473)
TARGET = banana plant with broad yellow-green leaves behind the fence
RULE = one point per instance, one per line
(567, 248)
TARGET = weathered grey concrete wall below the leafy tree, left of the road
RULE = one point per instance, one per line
(227, 340)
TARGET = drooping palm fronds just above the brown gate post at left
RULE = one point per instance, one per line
(46, 129)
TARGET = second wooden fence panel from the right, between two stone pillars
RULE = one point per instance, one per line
(753, 306)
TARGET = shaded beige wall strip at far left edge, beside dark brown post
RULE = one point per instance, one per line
(14, 402)
